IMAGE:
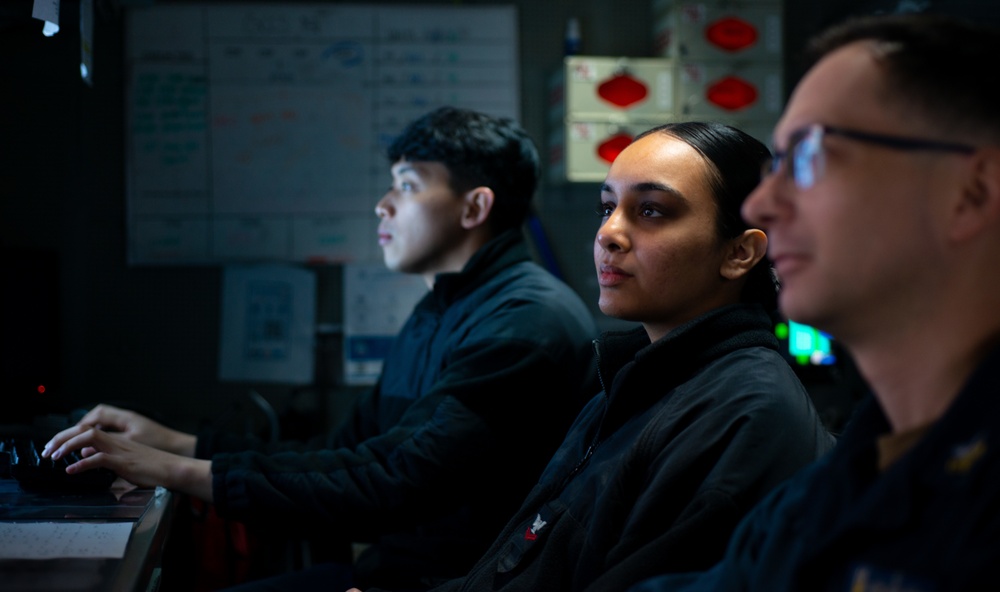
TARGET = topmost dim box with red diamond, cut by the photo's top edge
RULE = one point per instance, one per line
(719, 30)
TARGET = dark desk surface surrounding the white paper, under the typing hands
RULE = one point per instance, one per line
(149, 511)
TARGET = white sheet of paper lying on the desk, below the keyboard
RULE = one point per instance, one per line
(52, 540)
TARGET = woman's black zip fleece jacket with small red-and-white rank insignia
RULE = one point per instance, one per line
(657, 471)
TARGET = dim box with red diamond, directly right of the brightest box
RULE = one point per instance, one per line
(729, 90)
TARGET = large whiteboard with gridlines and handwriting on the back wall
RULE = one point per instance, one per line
(257, 132)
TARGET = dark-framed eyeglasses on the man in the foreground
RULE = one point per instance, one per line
(807, 160)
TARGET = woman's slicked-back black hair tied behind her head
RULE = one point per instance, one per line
(735, 159)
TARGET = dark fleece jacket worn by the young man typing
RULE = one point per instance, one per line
(476, 393)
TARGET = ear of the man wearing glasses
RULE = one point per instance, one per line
(978, 207)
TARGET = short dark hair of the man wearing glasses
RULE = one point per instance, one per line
(935, 64)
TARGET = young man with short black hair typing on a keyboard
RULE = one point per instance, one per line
(477, 390)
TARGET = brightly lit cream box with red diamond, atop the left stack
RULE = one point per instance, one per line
(613, 89)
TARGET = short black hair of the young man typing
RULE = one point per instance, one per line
(478, 150)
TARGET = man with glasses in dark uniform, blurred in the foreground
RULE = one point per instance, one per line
(882, 208)
